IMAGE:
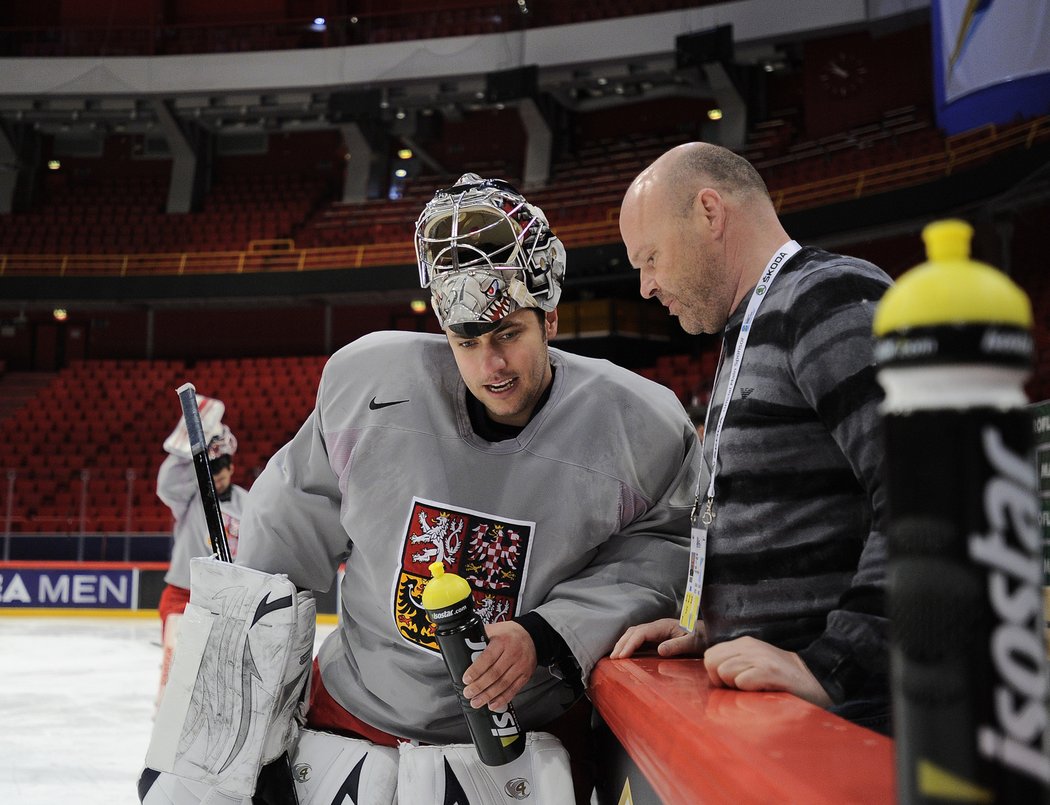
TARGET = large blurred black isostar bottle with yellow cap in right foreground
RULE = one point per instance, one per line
(968, 658)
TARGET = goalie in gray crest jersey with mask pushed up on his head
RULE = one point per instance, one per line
(559, 486)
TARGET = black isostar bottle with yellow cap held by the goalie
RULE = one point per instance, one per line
(461, 638)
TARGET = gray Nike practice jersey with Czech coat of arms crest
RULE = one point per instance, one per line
(583, 519)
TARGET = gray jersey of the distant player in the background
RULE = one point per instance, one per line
(178, 488)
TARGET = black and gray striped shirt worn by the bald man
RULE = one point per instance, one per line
(796, 556)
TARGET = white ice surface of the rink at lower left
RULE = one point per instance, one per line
(76, 708)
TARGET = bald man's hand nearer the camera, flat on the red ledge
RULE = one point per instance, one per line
(751, 665)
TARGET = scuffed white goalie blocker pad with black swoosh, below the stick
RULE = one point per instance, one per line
(237, 690)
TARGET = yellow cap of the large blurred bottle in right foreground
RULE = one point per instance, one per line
(951, 288)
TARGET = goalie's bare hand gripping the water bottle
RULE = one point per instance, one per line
(503, 669)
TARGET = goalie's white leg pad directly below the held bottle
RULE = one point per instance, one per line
(541, 776)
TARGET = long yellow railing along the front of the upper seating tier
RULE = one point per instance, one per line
(961, 152)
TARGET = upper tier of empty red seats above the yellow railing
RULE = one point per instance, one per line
(281, 211)
